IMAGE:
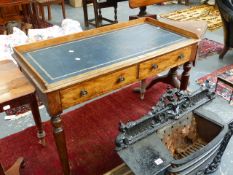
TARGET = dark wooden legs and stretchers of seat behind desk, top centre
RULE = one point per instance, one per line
(98, 6)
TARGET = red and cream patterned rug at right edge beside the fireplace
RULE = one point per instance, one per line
(222, 89)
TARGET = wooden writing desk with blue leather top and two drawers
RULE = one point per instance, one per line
(73, 69)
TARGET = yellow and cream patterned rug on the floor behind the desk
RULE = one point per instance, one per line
(202, 12)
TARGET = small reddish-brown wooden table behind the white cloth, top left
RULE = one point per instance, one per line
(48, 3)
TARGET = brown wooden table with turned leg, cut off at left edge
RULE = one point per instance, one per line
(16, 90)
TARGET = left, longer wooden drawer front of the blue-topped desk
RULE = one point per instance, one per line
(95, 87)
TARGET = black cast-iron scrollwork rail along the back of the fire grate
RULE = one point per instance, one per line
(171, 106)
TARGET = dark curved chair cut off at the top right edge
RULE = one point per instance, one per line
(226, 11)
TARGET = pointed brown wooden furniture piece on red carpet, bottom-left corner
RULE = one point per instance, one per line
(14, 169)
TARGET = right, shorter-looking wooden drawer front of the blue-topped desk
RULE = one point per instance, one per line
(164, 62)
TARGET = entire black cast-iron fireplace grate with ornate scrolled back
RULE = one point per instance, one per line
(174, 138)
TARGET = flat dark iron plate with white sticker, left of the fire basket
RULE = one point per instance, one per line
(148, 156)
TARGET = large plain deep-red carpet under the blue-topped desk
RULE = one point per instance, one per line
(90, 134)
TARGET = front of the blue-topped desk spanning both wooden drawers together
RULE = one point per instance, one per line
(81, 92)
